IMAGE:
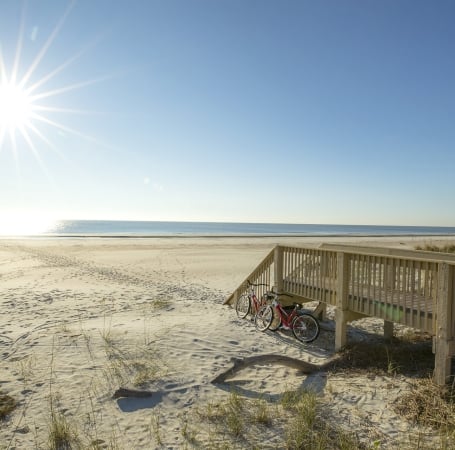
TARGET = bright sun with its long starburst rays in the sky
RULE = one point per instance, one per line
(27, 112)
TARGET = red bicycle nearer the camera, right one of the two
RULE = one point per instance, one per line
(304, 326)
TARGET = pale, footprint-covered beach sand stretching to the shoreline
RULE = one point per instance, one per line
(81, 318)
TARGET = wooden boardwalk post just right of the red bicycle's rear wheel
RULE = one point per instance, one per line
(341, 312)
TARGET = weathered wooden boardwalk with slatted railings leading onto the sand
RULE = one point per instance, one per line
(416, 289)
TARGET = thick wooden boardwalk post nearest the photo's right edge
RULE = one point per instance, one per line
(444, 332)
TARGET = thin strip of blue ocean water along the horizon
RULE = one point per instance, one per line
(150, 229)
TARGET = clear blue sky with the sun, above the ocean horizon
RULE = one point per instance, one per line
(229, 110)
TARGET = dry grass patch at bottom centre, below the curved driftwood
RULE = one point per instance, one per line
(297, 419)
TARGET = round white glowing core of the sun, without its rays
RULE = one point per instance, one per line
(16, 107)
